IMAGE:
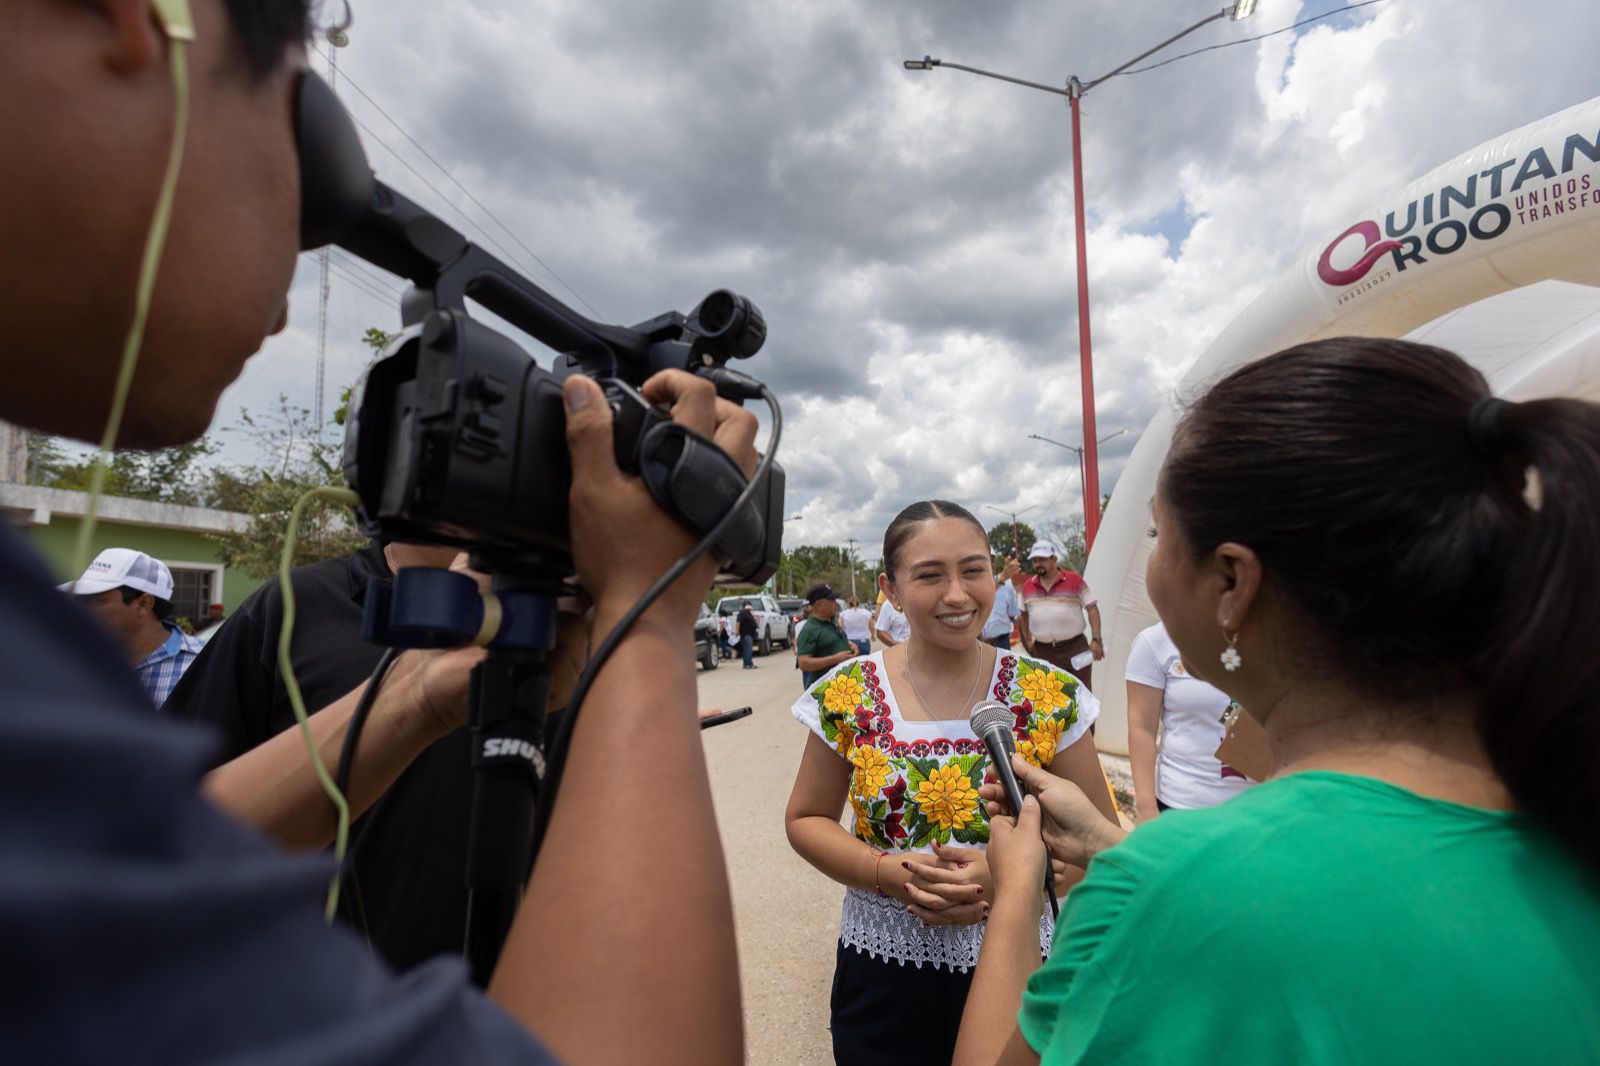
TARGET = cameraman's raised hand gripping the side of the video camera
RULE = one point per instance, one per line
(622, 540)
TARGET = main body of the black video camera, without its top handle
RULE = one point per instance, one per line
(458, 438)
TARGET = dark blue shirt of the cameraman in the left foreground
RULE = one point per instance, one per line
(142, 926)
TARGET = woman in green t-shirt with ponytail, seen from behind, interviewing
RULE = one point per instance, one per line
(1396, 572)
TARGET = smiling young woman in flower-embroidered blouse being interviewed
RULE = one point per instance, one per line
(890, 735)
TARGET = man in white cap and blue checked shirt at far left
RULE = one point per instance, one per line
(132, 595)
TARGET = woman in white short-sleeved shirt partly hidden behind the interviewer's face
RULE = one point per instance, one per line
(1175, 727)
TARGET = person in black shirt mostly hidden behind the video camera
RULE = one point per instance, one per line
(406, 891)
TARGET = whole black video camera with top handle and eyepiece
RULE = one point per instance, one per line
(458, 438)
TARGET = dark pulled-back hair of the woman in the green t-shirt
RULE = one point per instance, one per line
(1409, 548)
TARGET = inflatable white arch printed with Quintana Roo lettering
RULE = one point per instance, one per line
(1495, 255)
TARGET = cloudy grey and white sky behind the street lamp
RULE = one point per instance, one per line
(910, 234)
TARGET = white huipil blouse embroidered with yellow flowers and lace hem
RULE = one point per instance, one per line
(916, 782)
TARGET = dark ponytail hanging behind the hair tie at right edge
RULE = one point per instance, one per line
(1540, 716)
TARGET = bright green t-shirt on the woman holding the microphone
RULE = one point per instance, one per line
(1326, 918)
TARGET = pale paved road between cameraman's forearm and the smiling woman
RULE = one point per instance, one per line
(788, 913)
